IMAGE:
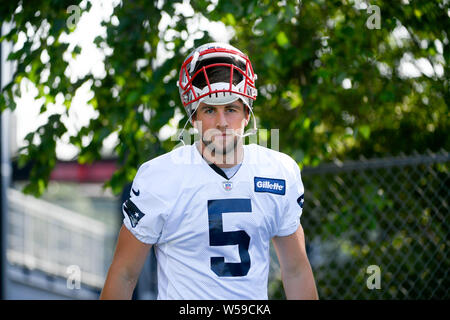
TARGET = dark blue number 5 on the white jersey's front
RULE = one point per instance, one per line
(217, 237)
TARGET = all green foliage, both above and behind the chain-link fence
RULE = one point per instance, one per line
(333, 86)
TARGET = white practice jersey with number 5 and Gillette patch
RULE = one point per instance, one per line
(212, 235)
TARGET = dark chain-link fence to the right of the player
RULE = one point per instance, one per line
(379, 228)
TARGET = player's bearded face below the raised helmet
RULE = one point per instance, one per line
(221, 125)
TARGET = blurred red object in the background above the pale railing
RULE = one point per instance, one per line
(72, 171)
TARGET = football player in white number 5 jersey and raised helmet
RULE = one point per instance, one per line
(210, 209)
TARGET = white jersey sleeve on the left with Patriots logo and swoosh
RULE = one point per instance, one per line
(145, 211)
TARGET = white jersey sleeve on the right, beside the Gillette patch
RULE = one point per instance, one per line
(293, 203)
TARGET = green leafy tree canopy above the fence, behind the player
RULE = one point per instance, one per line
(333, 86)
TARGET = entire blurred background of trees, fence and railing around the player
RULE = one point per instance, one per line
(358, 90)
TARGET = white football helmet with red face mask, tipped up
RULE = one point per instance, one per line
(219, 93)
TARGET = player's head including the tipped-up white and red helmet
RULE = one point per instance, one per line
(217, 88)
